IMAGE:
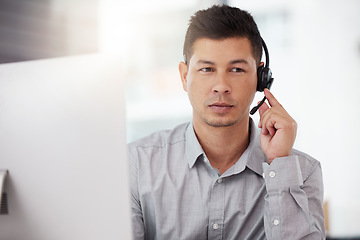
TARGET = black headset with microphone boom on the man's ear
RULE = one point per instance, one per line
(264, 77)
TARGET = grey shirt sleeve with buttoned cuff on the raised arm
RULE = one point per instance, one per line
(293, 203)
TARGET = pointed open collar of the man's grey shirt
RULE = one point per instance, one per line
(253, 157)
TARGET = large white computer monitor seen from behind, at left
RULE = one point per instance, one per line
(62, 140)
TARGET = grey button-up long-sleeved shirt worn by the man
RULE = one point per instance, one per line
(177, 194)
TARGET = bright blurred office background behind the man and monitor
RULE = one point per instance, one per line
(314, 49)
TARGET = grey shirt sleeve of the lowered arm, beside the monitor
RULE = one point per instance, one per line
(136, 212)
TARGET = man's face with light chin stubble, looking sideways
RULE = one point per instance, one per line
(220, 80)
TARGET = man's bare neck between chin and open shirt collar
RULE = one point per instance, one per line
(223, 146)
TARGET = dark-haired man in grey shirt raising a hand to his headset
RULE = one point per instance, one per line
(218, 177)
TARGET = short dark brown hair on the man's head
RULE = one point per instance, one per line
(220, 22)
